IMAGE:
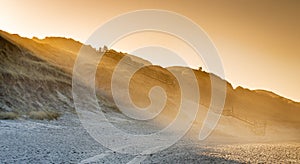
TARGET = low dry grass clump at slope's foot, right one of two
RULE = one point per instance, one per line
(43, 115)
